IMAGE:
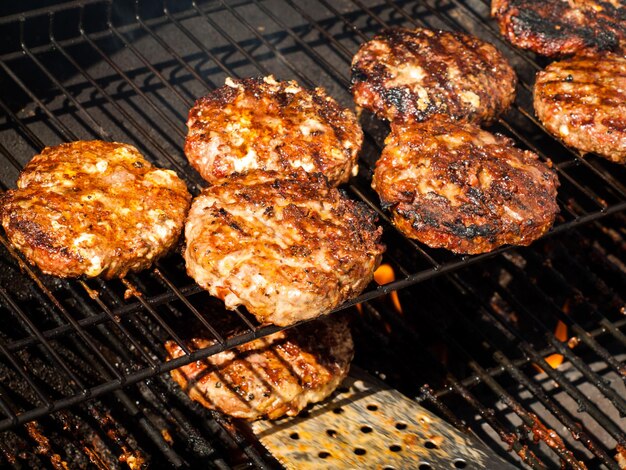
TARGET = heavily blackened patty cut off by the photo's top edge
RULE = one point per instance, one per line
(562, 27)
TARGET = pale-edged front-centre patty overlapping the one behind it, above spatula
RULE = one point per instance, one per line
(287, 247)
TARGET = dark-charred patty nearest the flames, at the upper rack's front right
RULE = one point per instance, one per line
(453, 185)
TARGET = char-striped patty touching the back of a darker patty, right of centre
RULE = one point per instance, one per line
(418, 73)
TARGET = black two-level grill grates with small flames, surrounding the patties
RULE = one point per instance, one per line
(525, 348)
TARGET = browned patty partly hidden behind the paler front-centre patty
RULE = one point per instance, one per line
(263, 124)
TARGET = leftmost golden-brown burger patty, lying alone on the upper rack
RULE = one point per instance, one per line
(93, 207)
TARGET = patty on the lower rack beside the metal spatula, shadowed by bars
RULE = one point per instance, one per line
(273, 376)
